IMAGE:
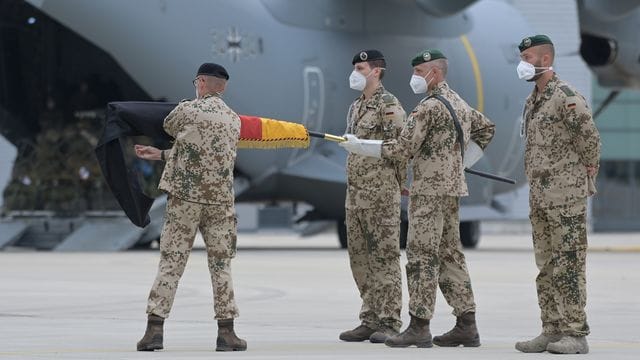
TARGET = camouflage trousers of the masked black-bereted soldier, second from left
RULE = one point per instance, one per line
(373, 237)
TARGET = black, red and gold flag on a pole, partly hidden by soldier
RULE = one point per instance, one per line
(125, 119)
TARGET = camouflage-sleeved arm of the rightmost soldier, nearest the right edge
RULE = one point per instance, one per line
(584, 134)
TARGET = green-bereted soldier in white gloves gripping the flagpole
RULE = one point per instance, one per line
(434, 251)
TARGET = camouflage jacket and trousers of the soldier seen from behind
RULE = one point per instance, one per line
(199, 179)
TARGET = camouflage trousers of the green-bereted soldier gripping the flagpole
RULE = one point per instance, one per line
(435, 257)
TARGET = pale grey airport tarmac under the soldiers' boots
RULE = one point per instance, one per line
(295, 296)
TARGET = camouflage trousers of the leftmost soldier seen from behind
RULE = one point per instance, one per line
(217, 223)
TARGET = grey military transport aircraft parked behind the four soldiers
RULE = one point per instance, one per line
(290, 60)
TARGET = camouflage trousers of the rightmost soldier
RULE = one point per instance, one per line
(560, 245)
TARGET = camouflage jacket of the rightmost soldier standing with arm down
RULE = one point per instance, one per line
(561, 141)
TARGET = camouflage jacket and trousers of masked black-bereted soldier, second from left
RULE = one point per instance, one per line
(373, 211)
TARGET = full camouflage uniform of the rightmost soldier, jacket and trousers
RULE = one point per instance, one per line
(561, 141)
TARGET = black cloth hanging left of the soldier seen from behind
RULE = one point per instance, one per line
(124, 119)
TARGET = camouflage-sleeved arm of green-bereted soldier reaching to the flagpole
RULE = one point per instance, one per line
(411, 137)
